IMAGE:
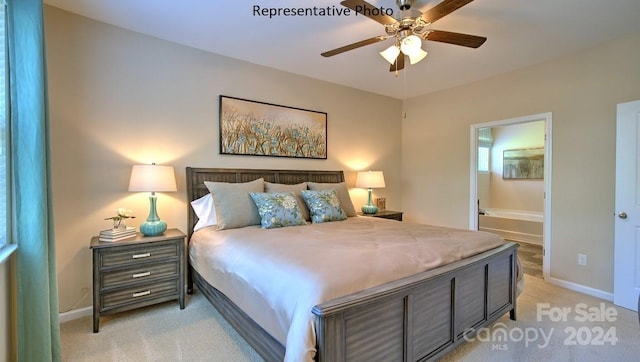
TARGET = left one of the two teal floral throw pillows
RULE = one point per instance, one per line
(277, 209)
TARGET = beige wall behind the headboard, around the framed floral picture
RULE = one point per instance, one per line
(119, 98)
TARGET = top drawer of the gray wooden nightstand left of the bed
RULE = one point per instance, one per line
(137, 255)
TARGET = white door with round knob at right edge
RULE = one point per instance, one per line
(626, 284)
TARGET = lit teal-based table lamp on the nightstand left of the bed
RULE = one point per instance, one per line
(152, 178)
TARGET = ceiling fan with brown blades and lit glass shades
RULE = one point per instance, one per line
(408, 30)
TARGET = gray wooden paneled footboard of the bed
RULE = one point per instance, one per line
(421, 317)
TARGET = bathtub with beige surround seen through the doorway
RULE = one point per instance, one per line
(518, 225)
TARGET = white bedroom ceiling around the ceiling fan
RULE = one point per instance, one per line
(520, 33)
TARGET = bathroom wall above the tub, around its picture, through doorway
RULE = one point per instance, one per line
(525, 195)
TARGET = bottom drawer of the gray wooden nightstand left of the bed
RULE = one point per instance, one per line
(139, 294)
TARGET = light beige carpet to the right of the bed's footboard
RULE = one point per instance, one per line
(590, 339)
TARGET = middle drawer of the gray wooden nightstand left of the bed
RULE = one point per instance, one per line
(145, 273)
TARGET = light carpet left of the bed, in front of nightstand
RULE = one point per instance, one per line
(158, 333)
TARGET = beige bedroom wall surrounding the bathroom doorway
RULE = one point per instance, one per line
(581, 91)
